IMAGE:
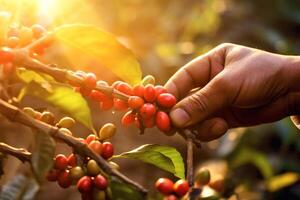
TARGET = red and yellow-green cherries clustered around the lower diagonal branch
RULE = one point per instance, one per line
(85, 173)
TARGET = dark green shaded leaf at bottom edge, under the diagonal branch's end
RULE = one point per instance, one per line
(121, 191)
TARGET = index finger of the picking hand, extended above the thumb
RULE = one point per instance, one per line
(197, 73)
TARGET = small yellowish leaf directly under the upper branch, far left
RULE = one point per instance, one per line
(29, 76)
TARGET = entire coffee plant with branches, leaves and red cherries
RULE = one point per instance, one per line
(91, 167)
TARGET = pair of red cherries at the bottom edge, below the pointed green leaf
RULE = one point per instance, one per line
(171, 190)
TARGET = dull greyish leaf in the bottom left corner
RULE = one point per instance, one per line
(20, 188)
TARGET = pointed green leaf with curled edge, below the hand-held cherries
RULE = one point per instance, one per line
(164, 157)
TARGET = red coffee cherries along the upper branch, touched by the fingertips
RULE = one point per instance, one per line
(147, 105)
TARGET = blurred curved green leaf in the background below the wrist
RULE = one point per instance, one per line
(258, 159)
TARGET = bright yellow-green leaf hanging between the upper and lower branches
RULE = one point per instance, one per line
(66, 99)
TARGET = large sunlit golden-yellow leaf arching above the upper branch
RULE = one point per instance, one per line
(100, 49)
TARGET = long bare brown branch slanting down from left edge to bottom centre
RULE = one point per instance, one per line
(17, 115)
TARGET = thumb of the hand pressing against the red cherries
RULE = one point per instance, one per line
(200, 105)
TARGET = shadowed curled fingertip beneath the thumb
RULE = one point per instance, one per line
(211, 129)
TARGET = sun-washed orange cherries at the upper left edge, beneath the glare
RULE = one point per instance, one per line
(19, 37)
